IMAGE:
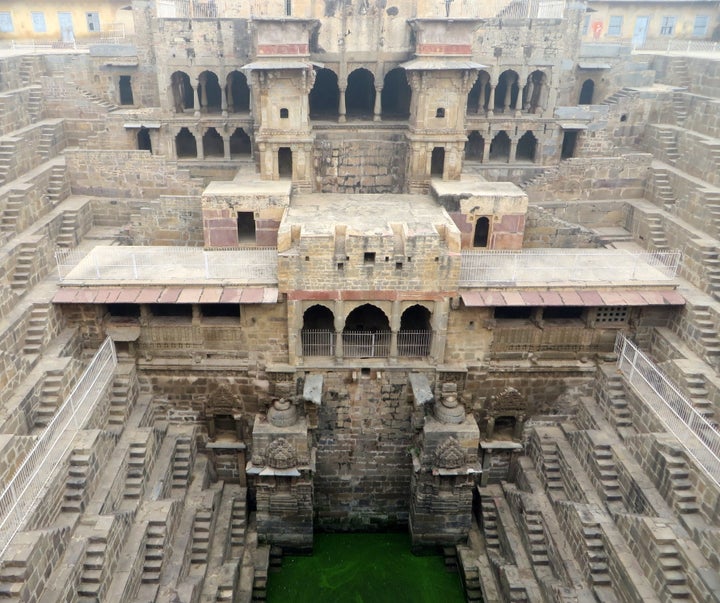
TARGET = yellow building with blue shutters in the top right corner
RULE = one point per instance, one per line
(640, 21)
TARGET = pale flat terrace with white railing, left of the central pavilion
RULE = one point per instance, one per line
(160, 265)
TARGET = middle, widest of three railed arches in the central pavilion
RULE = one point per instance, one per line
(366, 333)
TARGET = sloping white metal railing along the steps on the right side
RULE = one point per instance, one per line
(695, 433)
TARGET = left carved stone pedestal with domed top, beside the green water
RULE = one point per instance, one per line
(282, 467)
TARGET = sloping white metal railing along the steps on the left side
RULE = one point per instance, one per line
(24, 491)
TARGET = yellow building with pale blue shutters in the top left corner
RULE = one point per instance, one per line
(68, 21)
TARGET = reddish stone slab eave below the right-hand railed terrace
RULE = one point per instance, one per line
(615, 297)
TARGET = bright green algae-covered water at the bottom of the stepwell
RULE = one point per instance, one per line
(364, 568)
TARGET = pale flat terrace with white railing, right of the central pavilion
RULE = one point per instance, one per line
(567, 266)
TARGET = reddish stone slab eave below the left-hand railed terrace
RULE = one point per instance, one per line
(166, 295)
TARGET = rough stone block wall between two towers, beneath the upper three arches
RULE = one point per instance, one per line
(360, 161)
